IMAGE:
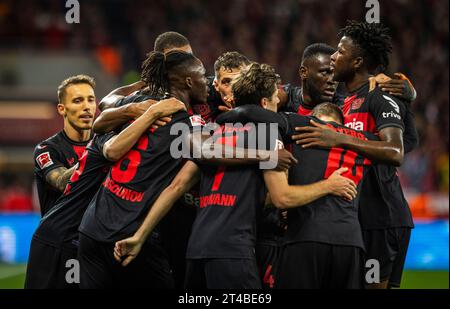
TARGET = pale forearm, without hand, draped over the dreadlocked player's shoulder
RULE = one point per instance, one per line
(118, 146)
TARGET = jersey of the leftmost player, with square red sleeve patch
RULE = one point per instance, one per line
(56, 151)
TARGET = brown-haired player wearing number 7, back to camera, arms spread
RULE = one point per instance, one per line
(221, 247)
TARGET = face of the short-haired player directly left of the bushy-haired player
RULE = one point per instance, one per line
(319, 79)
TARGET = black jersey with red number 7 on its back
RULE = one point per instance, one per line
(231, 199)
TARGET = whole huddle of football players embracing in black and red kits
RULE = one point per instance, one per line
(116, 198)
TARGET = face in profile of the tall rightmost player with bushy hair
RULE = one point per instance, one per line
(341, 60)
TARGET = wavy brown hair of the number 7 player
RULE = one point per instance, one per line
(255, 83)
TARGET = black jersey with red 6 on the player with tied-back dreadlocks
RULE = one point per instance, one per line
(134, 182)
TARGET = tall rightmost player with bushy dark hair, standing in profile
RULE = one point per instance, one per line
(384, 213)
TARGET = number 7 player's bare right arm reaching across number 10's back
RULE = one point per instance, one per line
(285, 196)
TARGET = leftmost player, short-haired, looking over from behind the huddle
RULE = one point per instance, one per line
(56, 157)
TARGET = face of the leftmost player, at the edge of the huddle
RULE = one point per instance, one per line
(78, 106)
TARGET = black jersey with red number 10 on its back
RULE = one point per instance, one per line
(330, 219)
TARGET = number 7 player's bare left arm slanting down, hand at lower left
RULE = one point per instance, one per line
(127, 249)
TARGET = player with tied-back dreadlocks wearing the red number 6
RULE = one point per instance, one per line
(134, 183)
